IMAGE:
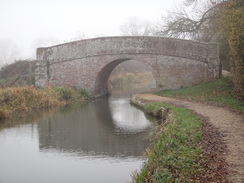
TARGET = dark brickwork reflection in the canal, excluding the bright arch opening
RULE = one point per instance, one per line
(87, 130)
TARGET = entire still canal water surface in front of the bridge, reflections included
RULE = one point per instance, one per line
(101, 142)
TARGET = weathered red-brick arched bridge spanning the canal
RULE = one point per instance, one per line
(87, 64)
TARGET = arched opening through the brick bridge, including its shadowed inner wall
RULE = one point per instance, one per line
(124, 75)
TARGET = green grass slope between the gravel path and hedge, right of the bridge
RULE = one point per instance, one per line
(220, 92)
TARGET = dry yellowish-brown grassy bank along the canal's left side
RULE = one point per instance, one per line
(15, 100)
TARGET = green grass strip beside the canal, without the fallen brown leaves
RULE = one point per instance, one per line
(175, 153)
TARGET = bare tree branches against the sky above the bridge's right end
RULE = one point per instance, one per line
(195, 20)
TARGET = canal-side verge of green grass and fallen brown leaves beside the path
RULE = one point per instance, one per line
(185, 148)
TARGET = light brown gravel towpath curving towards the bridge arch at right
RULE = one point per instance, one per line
(231, 124)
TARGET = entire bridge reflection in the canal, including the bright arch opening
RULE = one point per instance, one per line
(94, 130)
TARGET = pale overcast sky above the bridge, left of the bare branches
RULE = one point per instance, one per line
(25, 21)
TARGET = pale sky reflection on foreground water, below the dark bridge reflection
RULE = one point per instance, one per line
(23, 162)
